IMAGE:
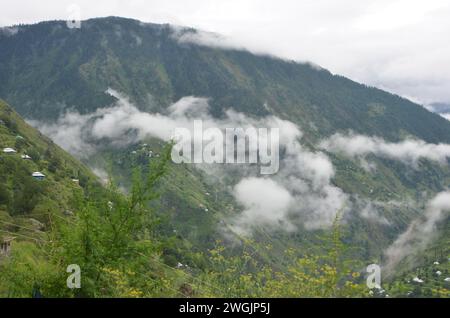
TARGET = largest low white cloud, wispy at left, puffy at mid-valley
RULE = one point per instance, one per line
(304, 176)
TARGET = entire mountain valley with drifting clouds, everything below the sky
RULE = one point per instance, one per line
(354, 184)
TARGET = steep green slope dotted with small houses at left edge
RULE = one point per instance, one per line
(27, 204)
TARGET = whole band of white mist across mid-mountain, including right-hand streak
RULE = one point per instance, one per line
(302, 187)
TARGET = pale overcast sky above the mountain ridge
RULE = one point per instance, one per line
(399, 45)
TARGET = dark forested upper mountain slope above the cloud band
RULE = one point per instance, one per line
(47, 68)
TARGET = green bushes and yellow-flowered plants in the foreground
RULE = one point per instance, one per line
(112, 238)
